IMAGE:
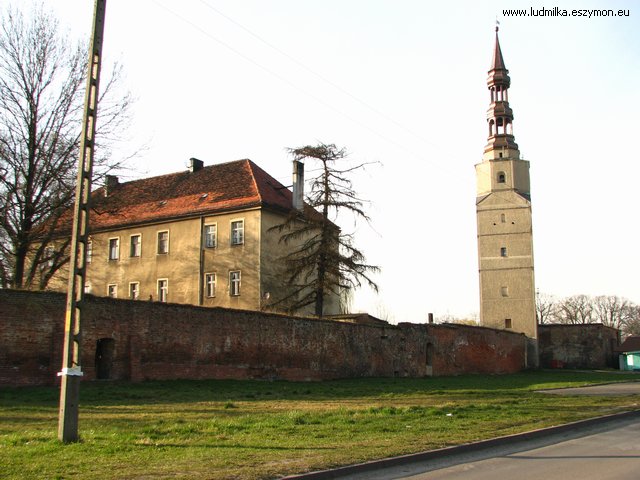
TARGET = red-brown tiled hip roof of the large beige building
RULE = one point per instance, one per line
(213, 189)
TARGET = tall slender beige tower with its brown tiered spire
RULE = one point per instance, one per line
(503, 208)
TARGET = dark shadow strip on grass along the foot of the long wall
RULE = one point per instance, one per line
(178, 391)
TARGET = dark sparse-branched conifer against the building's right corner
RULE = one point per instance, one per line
(324, 260)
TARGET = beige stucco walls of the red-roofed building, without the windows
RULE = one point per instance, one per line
(259, 259)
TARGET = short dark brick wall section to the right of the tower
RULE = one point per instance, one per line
(578, 346)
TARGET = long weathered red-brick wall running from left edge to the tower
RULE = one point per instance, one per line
(165, 341)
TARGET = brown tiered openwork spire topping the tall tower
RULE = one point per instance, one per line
(501, 142)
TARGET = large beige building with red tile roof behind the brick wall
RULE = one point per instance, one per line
(201, 236)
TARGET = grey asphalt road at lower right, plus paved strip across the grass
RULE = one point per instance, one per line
(604, 448)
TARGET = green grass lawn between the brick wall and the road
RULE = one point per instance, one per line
(255, 430)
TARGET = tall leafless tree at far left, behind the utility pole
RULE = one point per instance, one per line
(42, 83)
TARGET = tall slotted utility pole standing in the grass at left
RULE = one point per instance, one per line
(71, 369)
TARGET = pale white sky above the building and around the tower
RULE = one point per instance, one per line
(401, 84)
